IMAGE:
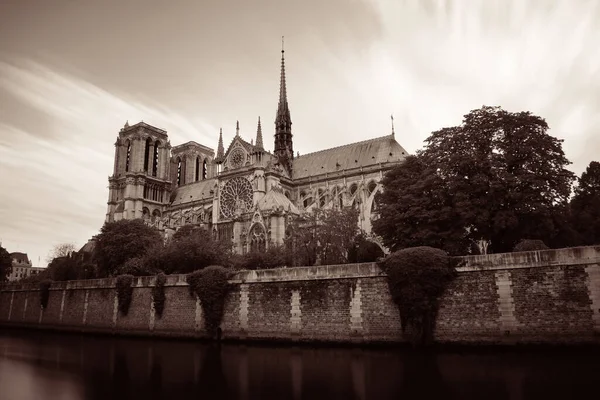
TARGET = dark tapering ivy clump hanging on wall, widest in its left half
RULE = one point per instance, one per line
(211, 286)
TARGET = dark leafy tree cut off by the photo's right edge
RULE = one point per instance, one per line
(585, 205)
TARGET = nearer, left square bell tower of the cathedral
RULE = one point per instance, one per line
(140, 184)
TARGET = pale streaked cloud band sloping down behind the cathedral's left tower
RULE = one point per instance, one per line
(55, 173)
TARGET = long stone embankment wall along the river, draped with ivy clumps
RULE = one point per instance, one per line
(544, 296)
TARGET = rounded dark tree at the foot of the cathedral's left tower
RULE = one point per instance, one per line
(122, 240)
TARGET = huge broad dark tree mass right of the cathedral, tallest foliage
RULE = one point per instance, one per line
(498, 175)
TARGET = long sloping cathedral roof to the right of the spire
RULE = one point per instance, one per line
(354, 155)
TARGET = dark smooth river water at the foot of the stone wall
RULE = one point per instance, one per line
(39, 366)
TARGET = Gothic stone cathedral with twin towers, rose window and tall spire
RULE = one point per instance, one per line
(243, 193)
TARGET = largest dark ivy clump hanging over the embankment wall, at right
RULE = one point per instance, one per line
(417, 277)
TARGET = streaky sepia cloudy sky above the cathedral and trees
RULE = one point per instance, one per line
(72, 72)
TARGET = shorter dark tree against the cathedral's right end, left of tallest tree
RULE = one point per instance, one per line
(417, 209)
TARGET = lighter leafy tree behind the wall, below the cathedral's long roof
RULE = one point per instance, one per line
(323, 236)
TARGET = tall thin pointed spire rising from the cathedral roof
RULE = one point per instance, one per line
(284, 148)
